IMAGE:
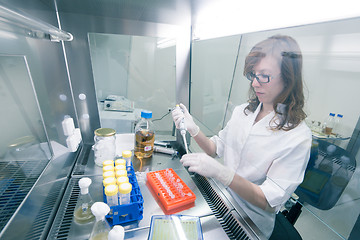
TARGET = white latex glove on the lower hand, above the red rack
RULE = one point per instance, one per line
(207, 166)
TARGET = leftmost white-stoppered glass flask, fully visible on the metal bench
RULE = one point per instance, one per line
(82, 213)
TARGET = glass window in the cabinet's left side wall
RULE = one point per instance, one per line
(24, 148)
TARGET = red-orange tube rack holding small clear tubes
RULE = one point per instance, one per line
(170, 189)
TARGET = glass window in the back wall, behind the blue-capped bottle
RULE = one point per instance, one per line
(133, 73)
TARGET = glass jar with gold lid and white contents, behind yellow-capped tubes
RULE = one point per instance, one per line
(104, 147)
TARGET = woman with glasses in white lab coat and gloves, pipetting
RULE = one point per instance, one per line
(266, 143)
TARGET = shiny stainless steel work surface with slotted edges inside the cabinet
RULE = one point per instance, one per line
(220, 217)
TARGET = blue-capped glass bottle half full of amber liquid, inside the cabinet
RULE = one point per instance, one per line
(144, 136)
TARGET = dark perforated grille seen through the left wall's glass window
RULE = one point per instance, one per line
(16, 179)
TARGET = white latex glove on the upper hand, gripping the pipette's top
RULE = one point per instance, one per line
(180, 113)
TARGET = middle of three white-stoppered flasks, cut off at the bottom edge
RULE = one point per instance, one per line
(101, 228)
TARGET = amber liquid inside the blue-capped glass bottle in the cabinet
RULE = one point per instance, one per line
(144, 143)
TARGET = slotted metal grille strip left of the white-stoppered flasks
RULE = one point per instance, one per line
(64, 219)
